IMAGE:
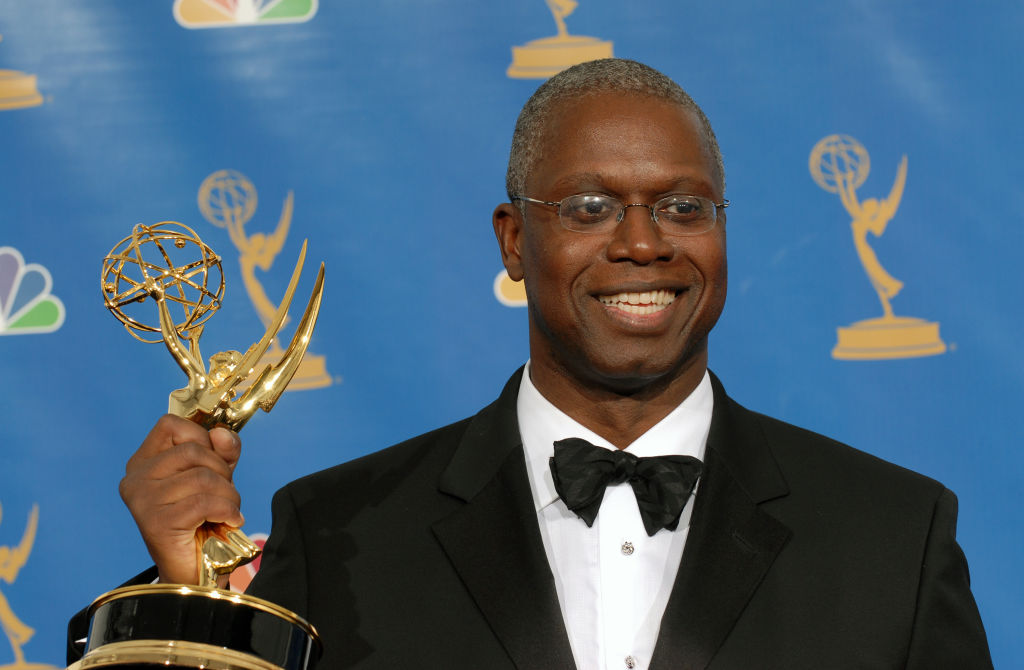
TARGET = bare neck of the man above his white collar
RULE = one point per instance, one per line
(619, 410)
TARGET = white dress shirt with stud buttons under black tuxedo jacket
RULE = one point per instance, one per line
(613, 580)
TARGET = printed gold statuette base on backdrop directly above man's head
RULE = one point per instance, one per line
(547, 57)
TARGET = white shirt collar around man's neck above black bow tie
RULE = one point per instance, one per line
(684, 432)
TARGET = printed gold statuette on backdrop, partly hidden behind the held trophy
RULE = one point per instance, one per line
(228, 199)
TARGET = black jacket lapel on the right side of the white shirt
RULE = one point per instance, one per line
(732, 545)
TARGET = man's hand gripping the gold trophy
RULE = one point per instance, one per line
(179, 479)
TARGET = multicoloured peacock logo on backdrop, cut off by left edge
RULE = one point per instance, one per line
(27, 307)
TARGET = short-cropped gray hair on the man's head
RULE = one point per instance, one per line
(607, 75)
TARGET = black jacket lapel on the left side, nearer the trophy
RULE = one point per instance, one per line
(494, 541)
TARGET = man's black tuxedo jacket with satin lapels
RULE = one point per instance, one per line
(802, 554)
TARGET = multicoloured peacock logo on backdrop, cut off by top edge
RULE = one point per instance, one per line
(239, 14)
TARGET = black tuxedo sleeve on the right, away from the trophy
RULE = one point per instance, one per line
(948, 630)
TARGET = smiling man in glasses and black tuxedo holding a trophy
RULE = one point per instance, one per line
(459, 549)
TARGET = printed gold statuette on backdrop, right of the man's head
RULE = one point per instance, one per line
(840, 164)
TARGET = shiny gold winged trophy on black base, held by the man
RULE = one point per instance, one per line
(166, 624)
